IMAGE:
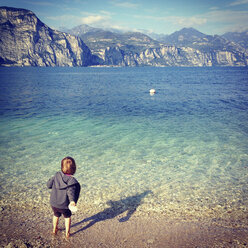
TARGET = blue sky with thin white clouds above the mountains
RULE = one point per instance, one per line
(157, 16)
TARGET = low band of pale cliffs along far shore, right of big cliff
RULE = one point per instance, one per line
(169, 56)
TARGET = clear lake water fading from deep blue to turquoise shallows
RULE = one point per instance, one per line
(187, 144)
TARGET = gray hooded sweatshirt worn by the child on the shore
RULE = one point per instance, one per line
(64, 190)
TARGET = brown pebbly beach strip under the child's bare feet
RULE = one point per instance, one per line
(29, 226)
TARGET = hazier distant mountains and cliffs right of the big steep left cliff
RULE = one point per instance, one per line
(136, 49)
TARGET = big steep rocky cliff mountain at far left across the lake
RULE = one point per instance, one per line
(26, 41)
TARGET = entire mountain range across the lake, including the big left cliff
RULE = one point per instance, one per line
(26, 41)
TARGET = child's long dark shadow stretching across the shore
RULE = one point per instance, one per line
(116, 208)
